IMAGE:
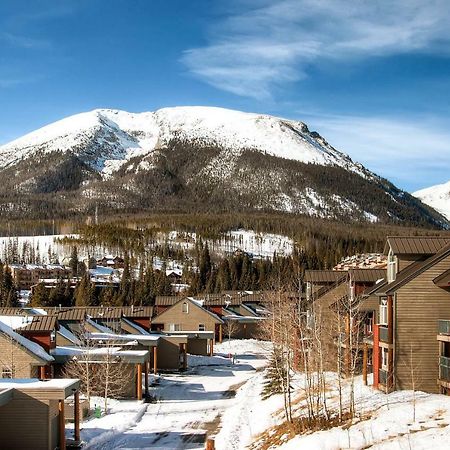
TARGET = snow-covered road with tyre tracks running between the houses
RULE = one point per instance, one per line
(189, 407)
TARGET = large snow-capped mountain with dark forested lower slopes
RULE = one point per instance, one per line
(192, 159)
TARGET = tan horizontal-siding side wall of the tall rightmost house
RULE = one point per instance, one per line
(418, 306)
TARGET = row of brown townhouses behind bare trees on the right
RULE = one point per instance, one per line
(394, 323)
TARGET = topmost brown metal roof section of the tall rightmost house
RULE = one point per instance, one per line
(416, 245)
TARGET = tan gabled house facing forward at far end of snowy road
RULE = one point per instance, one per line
(187, 315)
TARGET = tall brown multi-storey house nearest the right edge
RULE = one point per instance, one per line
(407, 344)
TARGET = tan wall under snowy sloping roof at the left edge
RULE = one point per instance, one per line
(11, 353)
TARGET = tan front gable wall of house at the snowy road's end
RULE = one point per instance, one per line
(188, 321)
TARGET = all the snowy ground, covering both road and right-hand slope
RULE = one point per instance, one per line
(218, 399)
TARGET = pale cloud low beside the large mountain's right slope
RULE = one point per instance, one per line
(414, 152)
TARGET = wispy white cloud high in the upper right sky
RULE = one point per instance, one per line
(260, 45)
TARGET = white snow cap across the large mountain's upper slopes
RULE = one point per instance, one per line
(105, 139)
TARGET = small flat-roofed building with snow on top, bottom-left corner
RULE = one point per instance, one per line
(32, 413)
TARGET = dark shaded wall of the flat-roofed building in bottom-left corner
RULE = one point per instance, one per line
(29, 415)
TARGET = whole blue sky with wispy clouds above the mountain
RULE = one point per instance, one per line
(373, 77)
